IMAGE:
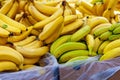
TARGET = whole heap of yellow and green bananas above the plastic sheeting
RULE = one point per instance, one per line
(68, 30)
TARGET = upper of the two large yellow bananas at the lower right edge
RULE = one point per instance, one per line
(112, 45)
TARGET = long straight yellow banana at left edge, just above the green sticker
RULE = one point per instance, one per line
(12, 22)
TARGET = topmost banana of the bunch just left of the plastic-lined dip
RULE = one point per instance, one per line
(26, 41)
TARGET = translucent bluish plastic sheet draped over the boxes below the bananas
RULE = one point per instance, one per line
(90, 69)
